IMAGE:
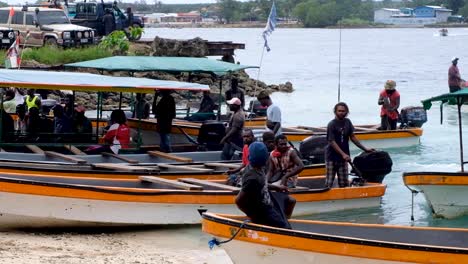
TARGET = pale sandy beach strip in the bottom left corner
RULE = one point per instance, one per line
(173, 245)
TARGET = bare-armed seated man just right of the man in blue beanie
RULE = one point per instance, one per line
(284, 164)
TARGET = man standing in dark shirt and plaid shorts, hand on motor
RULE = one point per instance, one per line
(337, 154)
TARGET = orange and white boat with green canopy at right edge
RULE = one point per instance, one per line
(445, 192)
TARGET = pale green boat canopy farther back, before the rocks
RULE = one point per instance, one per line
(166, 64)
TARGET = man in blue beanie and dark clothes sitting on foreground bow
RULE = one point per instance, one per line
(254, 199)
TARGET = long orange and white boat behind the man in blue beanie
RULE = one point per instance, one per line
(39, 201)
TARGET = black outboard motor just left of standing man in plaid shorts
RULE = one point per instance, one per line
(312, 149)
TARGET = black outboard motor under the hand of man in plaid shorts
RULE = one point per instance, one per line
(373, 166)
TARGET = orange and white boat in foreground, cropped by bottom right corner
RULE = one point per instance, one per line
(334, 242)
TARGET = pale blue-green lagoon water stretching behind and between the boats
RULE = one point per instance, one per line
(416, 59)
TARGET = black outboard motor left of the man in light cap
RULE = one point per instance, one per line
(210, 134)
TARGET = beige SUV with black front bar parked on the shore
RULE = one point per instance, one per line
(39, 26)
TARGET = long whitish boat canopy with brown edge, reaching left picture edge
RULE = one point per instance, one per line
(89, 82)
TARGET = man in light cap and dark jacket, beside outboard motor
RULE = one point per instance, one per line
(233, 138)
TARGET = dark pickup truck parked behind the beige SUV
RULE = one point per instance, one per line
(90, 14)
